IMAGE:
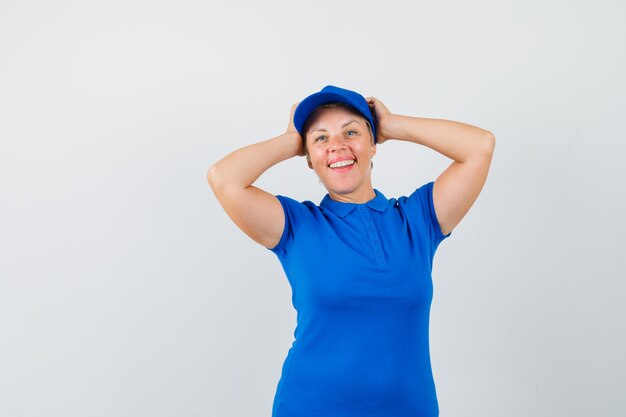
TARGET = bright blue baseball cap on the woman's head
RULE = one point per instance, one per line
(332, 94)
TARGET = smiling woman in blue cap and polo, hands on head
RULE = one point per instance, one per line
(359, 264)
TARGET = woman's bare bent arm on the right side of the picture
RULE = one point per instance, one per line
(471, 148)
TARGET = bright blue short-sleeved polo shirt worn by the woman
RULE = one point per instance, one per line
(361, 284)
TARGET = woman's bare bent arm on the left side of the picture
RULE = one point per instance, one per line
(256, 212)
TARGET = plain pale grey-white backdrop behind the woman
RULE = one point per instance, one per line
(125, 290)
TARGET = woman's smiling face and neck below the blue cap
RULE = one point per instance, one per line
(340, 150)
